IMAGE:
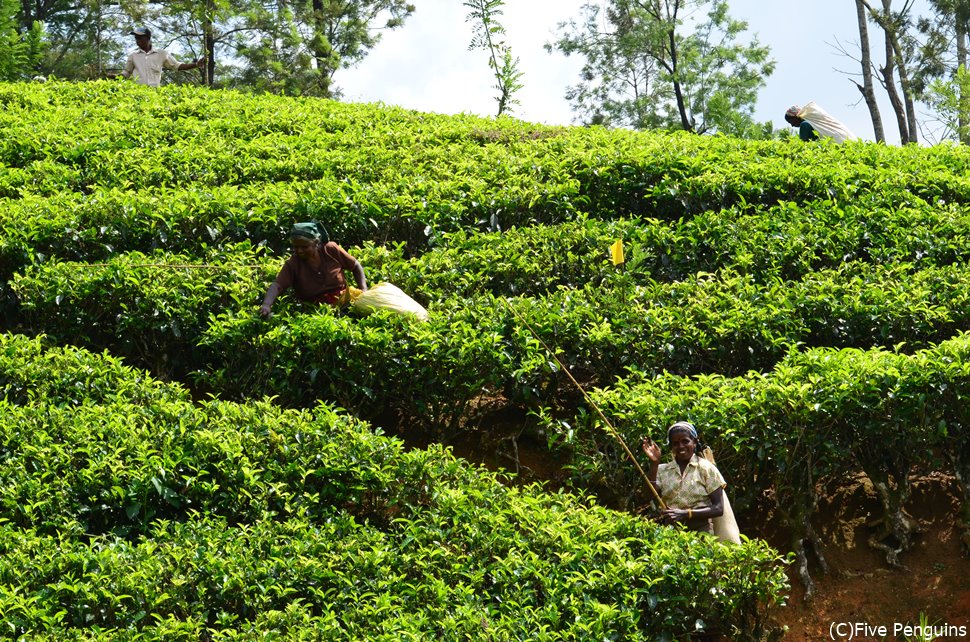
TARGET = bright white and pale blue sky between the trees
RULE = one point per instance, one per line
(426, 65)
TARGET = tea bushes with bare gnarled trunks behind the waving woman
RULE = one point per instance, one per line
(819, 415)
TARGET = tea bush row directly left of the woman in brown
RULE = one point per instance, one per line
(151, 309)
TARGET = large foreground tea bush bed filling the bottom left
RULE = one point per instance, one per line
(169, 519)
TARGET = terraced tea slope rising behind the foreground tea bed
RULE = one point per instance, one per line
(804, 305)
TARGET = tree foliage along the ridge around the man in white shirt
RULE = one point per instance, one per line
(289, 46)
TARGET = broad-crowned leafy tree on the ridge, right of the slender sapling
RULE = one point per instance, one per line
(664, 63)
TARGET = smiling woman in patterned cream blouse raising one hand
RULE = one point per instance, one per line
(691, 487)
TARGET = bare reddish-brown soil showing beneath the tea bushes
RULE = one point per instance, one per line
(862, 587)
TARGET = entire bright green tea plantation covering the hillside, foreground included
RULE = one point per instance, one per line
(172, 466)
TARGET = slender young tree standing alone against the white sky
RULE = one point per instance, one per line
(487, 34)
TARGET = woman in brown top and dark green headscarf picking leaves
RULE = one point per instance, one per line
(316, 269)
